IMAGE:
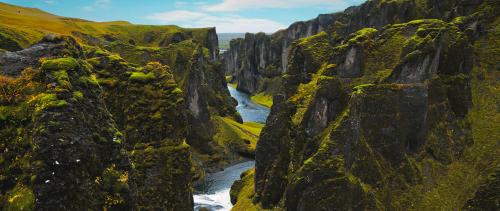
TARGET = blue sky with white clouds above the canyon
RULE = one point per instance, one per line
(229, 16)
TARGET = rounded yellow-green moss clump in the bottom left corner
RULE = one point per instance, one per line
(20, 198)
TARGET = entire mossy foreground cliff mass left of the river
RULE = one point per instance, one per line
(79, 155)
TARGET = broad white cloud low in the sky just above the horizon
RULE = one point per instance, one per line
(224, 23)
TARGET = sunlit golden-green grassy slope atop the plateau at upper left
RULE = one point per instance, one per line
(28, 25)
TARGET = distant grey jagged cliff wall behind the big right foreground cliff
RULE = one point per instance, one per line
(252, 61)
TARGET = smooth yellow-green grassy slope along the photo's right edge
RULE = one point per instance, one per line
(481, 160)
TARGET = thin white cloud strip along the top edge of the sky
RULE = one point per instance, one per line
(236, 5)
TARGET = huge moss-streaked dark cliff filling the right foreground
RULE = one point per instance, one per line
(385, 119)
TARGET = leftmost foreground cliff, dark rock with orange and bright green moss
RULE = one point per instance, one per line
(56, 155)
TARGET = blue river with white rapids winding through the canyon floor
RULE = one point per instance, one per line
(213, 193)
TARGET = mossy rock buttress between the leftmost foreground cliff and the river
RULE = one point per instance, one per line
(145, 103)
